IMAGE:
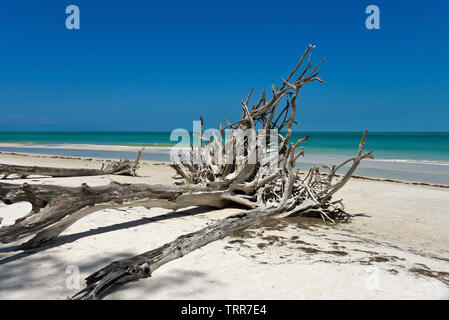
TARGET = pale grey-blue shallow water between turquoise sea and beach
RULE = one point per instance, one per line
(411, 171)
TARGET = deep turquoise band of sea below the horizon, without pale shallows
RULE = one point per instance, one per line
(431, 146)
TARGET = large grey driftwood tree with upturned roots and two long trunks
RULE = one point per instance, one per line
(254, 166)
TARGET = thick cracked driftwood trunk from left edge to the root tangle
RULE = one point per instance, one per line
(58, 207)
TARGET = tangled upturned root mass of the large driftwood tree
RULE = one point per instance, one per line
(243, 162)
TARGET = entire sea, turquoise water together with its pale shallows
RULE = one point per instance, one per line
(417, 156)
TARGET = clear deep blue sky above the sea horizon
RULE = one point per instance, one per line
(158, 65)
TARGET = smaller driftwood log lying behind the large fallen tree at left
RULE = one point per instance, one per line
(121, 167)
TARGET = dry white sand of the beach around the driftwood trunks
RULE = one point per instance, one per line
(396, 248)
